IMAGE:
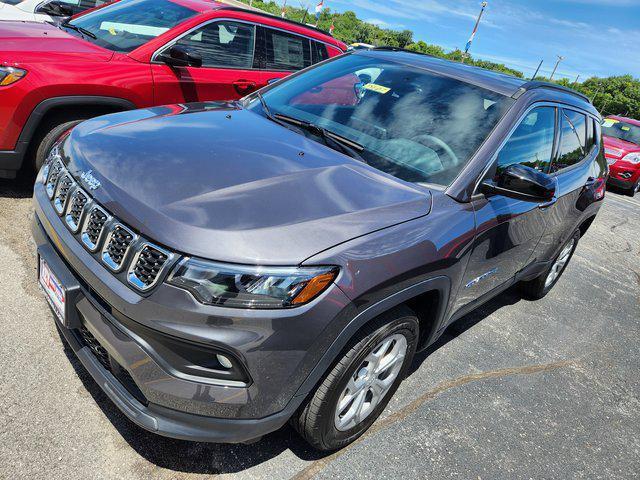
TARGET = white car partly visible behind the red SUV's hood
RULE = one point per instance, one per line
(44, 11)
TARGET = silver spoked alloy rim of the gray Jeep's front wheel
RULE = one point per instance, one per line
(370, 383)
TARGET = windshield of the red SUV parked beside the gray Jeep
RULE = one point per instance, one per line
(128, 24)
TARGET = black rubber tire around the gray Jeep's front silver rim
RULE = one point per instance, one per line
(334, 438)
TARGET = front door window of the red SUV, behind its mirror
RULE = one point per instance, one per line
(223, 44)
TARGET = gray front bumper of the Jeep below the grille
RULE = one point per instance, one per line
(271, 345)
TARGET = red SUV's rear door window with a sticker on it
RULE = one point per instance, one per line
(286, 51)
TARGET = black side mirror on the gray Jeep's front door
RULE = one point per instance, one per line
(522, 182)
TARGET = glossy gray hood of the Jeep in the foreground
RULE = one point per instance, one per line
(223, 183)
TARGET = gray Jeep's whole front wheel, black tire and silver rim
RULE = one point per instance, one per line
(318, 420)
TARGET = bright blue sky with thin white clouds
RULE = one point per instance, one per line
(595, 37)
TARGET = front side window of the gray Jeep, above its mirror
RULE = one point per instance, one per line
(531, 144)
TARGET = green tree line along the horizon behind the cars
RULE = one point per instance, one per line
(619, 95)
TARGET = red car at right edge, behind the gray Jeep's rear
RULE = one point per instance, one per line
(622, 148)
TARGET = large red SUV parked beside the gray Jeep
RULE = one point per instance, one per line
(138, 53)
